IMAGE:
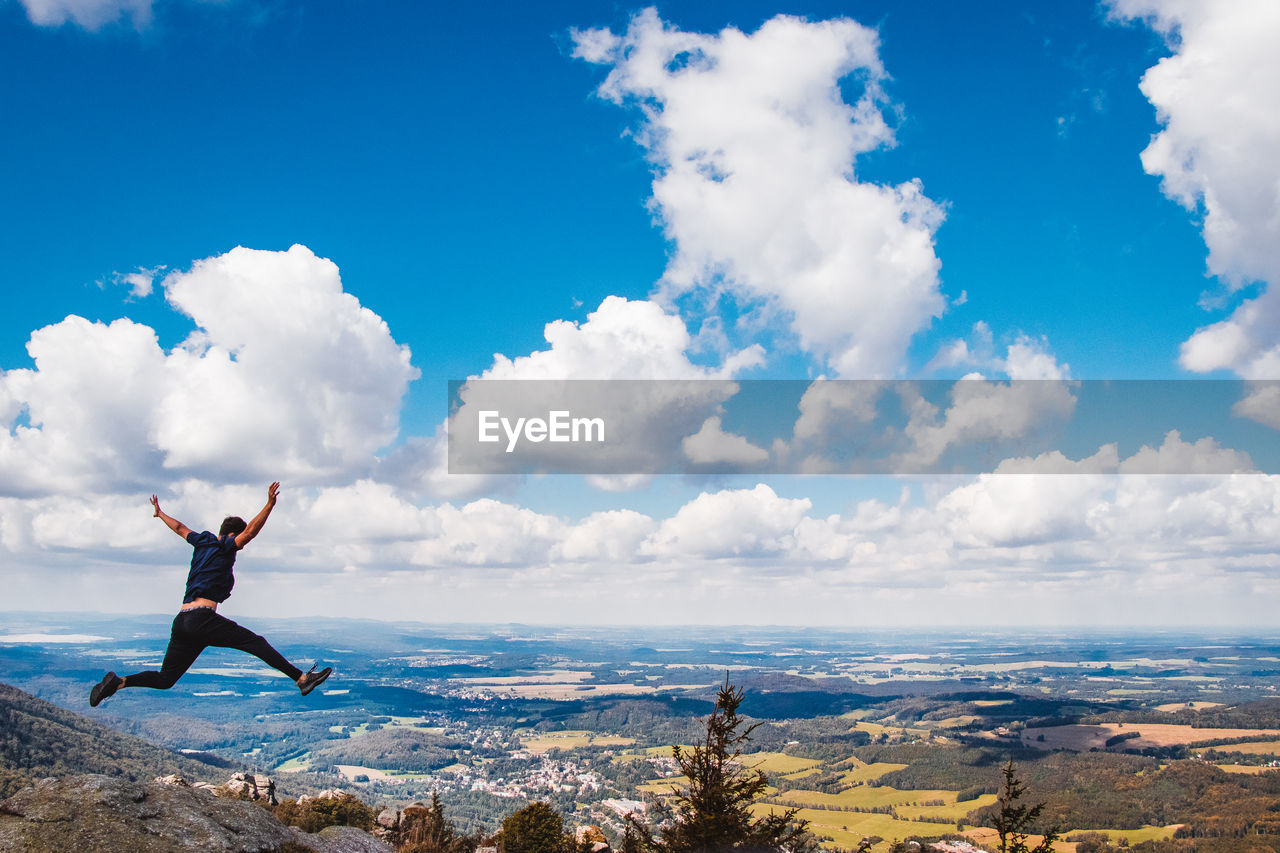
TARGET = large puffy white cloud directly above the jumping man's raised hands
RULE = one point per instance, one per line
(286, 377)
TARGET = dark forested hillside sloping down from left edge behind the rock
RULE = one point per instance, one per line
(40, 740)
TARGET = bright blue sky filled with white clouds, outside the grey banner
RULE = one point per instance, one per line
(963, 191)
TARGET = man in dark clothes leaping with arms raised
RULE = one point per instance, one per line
(198, 626)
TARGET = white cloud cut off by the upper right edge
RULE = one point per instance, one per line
(1217, 102)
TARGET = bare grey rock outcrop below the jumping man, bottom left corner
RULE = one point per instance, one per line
(104, 814)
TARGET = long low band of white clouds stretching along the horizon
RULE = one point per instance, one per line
(994, 546)
